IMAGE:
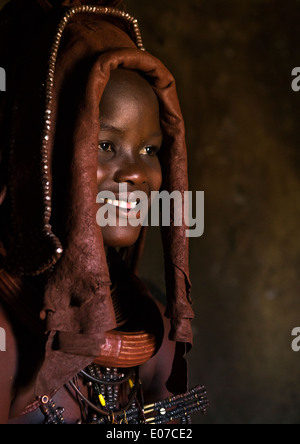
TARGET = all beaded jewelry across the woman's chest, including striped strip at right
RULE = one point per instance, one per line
(117, 398)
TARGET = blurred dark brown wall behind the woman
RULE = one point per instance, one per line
(233, 61)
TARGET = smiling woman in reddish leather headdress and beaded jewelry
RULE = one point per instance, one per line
(98, 113)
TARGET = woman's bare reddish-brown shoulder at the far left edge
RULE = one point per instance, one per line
(8, 365)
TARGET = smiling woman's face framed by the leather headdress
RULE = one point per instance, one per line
(129, 140)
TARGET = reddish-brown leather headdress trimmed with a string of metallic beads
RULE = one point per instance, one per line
(58, 62)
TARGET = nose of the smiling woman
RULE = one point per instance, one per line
(131, 171)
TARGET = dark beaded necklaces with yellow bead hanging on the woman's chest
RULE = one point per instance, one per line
(114, 397)
